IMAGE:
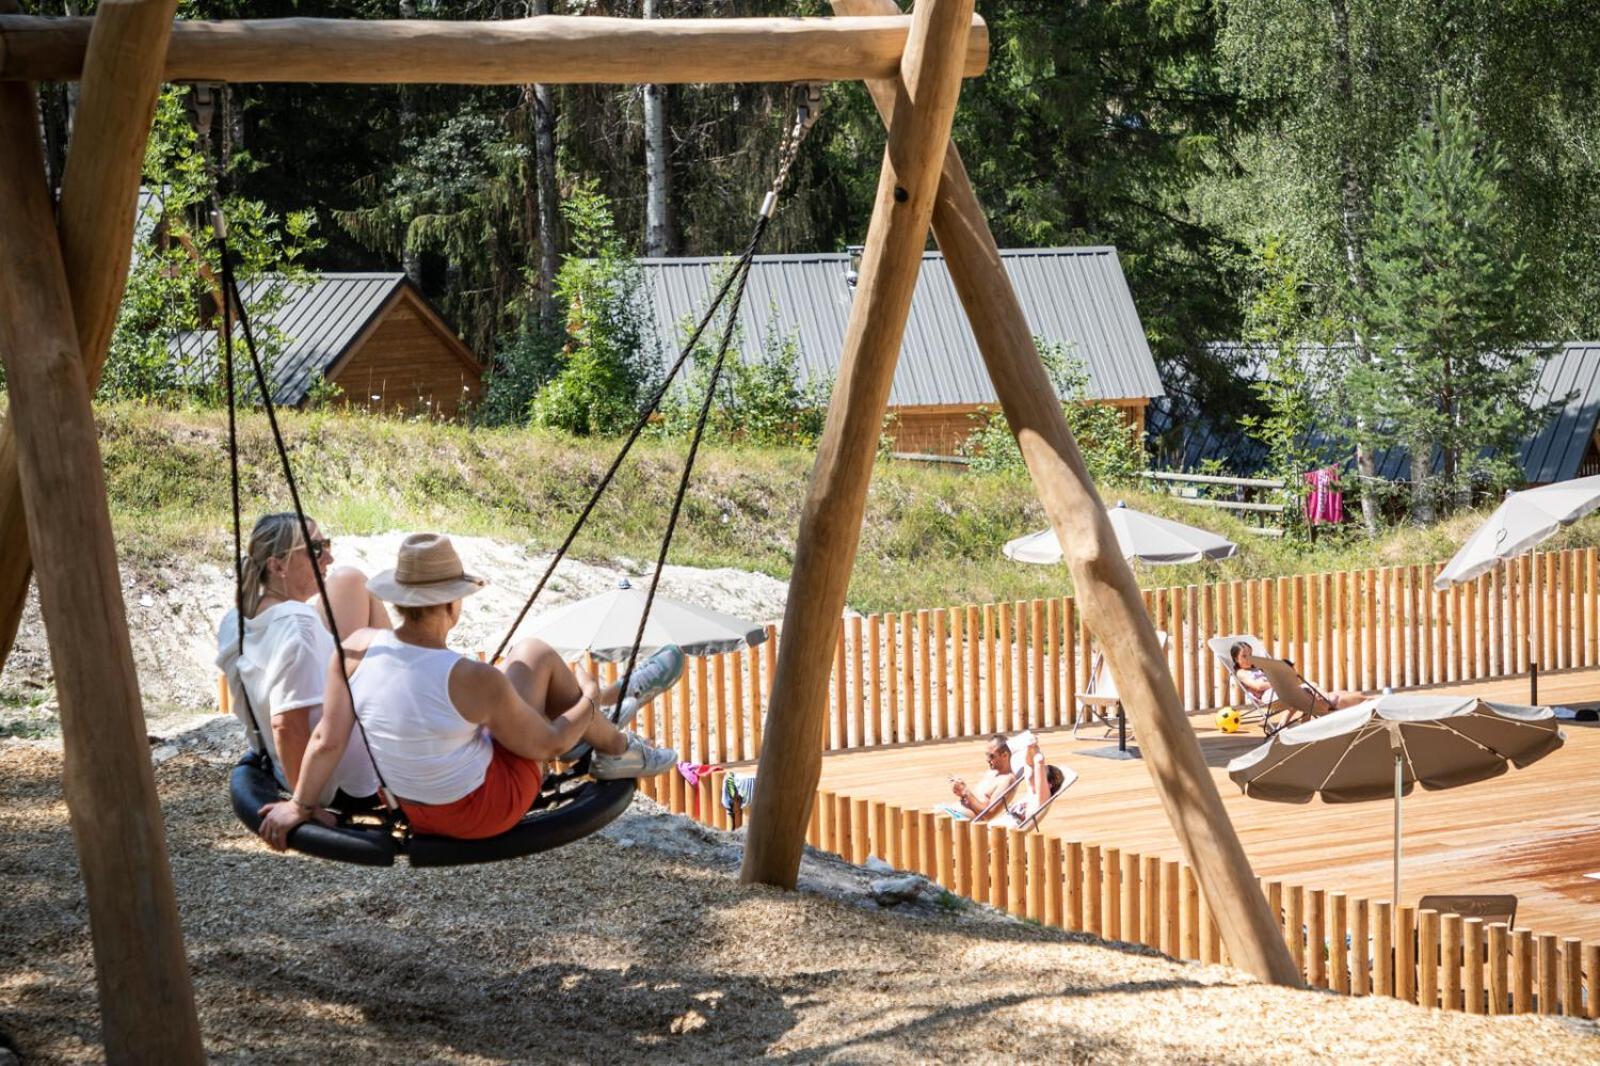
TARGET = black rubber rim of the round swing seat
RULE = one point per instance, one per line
(596, 804)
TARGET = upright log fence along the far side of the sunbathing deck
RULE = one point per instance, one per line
(978, 670)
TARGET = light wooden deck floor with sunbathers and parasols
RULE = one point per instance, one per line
(1534, 833)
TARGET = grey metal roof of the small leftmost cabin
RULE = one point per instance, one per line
(318, 323)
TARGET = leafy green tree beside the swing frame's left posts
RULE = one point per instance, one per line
(175, 254)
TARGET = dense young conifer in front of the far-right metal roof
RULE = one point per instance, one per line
(1452, 319)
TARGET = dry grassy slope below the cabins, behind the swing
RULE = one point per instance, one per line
(932, 537)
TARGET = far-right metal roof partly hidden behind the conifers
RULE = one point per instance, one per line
(1567, 385)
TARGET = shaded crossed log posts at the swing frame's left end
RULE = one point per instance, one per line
(58, 299)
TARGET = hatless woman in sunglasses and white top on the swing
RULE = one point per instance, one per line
(282, 670)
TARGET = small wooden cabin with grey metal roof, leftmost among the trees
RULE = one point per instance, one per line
(372, 337)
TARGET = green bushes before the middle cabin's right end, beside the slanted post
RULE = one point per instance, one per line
(1113, 447)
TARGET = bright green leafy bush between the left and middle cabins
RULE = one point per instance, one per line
(604, 367)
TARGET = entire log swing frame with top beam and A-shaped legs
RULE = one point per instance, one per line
(58, 303)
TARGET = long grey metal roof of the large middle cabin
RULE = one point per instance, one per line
(1078, 297)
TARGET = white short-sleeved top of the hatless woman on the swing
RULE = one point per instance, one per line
(286, 668)
